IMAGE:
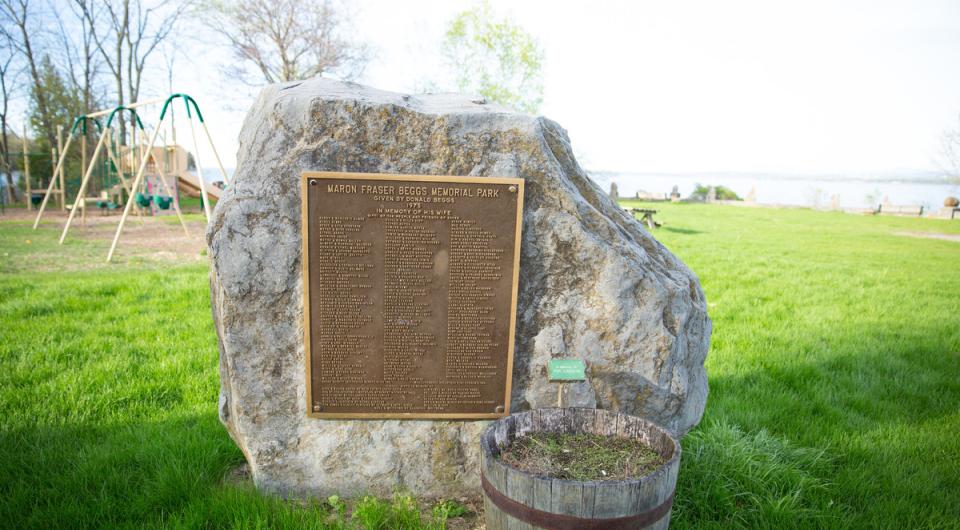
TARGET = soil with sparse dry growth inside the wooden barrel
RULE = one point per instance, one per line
(581, 456)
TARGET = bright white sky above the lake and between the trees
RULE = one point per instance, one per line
(803, 87)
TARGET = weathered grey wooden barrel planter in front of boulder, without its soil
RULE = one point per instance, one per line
(517, 499)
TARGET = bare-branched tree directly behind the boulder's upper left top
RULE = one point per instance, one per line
(287, 40)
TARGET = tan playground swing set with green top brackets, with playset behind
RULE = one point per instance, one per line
(158, 174)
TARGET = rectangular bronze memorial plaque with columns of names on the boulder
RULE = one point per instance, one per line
(410, 294)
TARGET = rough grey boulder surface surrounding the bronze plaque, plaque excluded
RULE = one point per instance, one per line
(593, 284)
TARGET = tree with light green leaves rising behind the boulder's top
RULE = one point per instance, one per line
(494, 57)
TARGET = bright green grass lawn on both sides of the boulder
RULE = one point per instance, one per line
(834, 383)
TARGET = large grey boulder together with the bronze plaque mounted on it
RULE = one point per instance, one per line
(390, 272)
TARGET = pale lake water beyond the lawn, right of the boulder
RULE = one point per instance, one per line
(852, 193)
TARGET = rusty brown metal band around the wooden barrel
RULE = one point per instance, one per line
(556, 521)
